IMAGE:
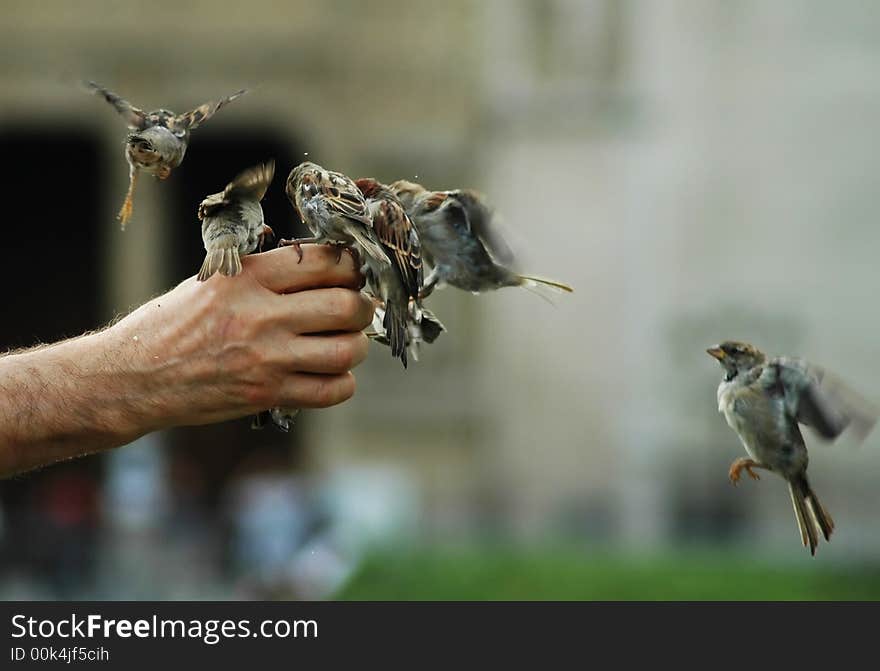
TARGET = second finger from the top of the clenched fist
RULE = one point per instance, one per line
(321, 310)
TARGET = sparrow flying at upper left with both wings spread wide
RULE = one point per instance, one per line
(158, 139)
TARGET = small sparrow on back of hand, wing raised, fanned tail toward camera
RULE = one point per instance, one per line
(232, 221)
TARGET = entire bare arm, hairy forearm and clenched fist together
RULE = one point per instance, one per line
(279, 334)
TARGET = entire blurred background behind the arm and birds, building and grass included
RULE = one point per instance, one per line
(697, 170)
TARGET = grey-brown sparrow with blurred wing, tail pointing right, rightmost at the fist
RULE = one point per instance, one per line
(460, 242)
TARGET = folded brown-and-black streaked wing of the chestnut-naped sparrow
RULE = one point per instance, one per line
(396, 232)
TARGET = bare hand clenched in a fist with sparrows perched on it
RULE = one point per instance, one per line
(280, 334)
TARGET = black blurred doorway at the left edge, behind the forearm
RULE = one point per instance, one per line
(52, 287)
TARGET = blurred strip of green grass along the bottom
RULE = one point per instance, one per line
(505, 574)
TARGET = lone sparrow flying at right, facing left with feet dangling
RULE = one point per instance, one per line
(764, 401)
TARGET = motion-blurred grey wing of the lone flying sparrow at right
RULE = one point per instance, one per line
(819, 399)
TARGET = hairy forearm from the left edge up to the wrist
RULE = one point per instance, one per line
(65, 400)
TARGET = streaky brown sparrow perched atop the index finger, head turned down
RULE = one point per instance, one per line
(334, 210)
